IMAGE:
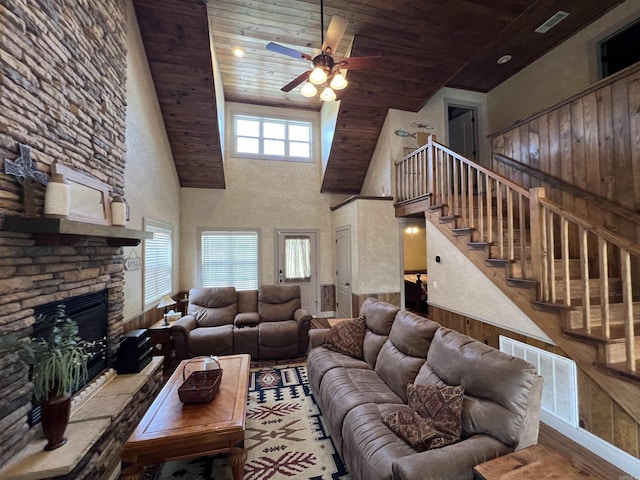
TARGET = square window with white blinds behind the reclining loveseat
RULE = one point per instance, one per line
(229, 259)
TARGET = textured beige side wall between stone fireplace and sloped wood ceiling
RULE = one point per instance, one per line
(151, 184)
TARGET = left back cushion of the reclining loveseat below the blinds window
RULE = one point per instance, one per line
(212, 307)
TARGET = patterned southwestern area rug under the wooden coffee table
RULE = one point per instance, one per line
(285, 435)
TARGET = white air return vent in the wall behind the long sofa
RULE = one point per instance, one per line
(560, 390)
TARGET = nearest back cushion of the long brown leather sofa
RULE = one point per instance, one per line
(495, 404)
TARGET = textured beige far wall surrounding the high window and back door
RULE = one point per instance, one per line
(264, 195)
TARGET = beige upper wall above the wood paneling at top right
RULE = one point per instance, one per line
(566, 70)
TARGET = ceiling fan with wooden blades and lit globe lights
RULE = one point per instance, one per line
(326, 70)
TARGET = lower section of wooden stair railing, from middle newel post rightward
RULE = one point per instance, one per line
(610, 265)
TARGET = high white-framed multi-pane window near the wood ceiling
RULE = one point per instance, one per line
(272, 138)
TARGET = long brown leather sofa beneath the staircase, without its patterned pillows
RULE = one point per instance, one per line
(500, 410)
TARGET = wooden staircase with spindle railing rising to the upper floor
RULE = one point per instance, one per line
(575, 280)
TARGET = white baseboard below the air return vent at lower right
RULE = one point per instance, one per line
(605, 450)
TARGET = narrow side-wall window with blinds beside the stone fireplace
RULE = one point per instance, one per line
(158, 261)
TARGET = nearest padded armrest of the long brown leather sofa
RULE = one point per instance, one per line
(452, 461)
